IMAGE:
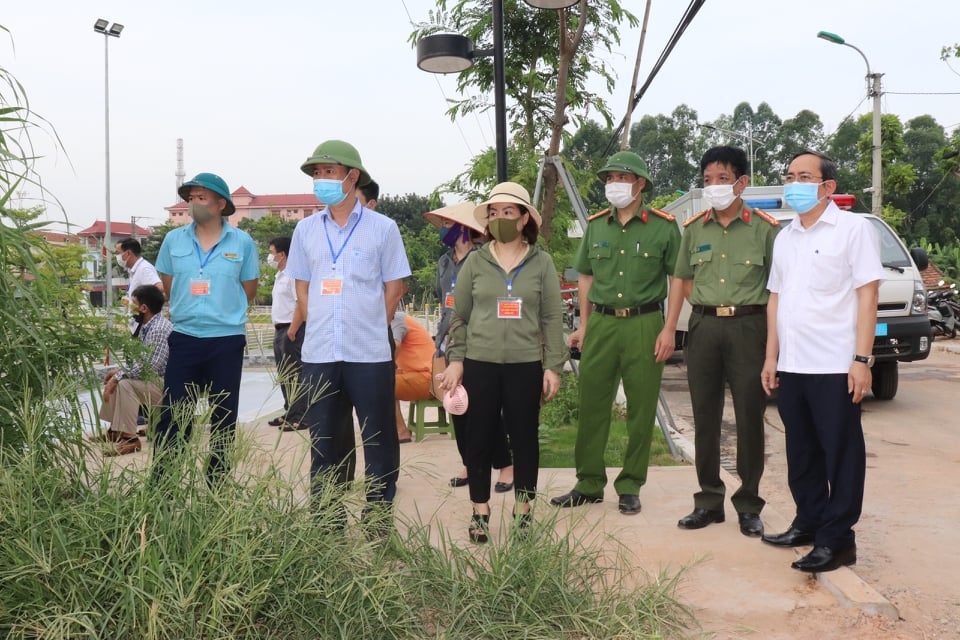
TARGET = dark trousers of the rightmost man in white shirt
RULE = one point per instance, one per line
(826, 455)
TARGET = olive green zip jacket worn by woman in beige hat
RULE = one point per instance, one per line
(477, 333)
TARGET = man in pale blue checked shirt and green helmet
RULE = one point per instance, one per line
(349, 263)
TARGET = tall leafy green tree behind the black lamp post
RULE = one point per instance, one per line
(549, 58)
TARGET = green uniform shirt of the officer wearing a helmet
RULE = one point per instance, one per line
(629, 263)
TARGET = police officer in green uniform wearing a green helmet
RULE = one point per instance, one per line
(624, 259)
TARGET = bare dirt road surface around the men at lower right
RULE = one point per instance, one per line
(910, 529)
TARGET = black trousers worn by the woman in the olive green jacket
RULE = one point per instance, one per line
(511, 392)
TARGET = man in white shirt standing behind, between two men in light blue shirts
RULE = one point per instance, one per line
(288, 322)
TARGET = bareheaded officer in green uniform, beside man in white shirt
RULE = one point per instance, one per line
(723, 266)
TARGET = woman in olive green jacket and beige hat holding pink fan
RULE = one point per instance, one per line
(506, 347)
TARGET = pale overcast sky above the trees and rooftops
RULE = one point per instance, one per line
(253, 87)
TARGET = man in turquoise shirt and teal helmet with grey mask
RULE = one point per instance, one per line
(210, 270)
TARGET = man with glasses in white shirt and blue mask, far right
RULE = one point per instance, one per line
(821, 319)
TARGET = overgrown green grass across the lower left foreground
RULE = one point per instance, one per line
(92, 550)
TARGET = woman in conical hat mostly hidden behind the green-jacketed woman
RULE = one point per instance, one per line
(462, 233)
